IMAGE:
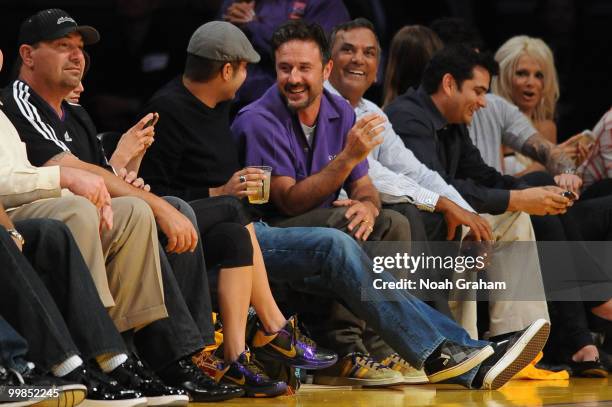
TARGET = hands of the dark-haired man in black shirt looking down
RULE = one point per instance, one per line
(539, 201)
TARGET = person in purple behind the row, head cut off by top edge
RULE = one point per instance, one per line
(259, 19)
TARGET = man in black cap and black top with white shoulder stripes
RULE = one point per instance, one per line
(52, 61)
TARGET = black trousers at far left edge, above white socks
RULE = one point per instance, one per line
(56, 308)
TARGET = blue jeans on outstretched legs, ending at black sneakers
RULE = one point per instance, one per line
(334, 262)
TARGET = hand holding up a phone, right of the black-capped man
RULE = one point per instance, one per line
(135, 141)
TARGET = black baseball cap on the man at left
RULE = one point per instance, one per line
(51, 24)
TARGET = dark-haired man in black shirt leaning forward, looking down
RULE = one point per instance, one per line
(432, 123)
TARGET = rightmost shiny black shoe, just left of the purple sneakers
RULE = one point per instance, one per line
(184, 374)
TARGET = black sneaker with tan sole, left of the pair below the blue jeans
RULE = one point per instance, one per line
(451, 360)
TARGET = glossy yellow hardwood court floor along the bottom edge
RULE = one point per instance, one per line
(574, 392)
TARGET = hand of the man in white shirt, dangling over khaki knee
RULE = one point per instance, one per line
(454, 215)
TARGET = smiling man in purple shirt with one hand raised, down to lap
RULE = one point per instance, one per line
(310, 139)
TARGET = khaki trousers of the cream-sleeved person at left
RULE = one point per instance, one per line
(124, 262)
